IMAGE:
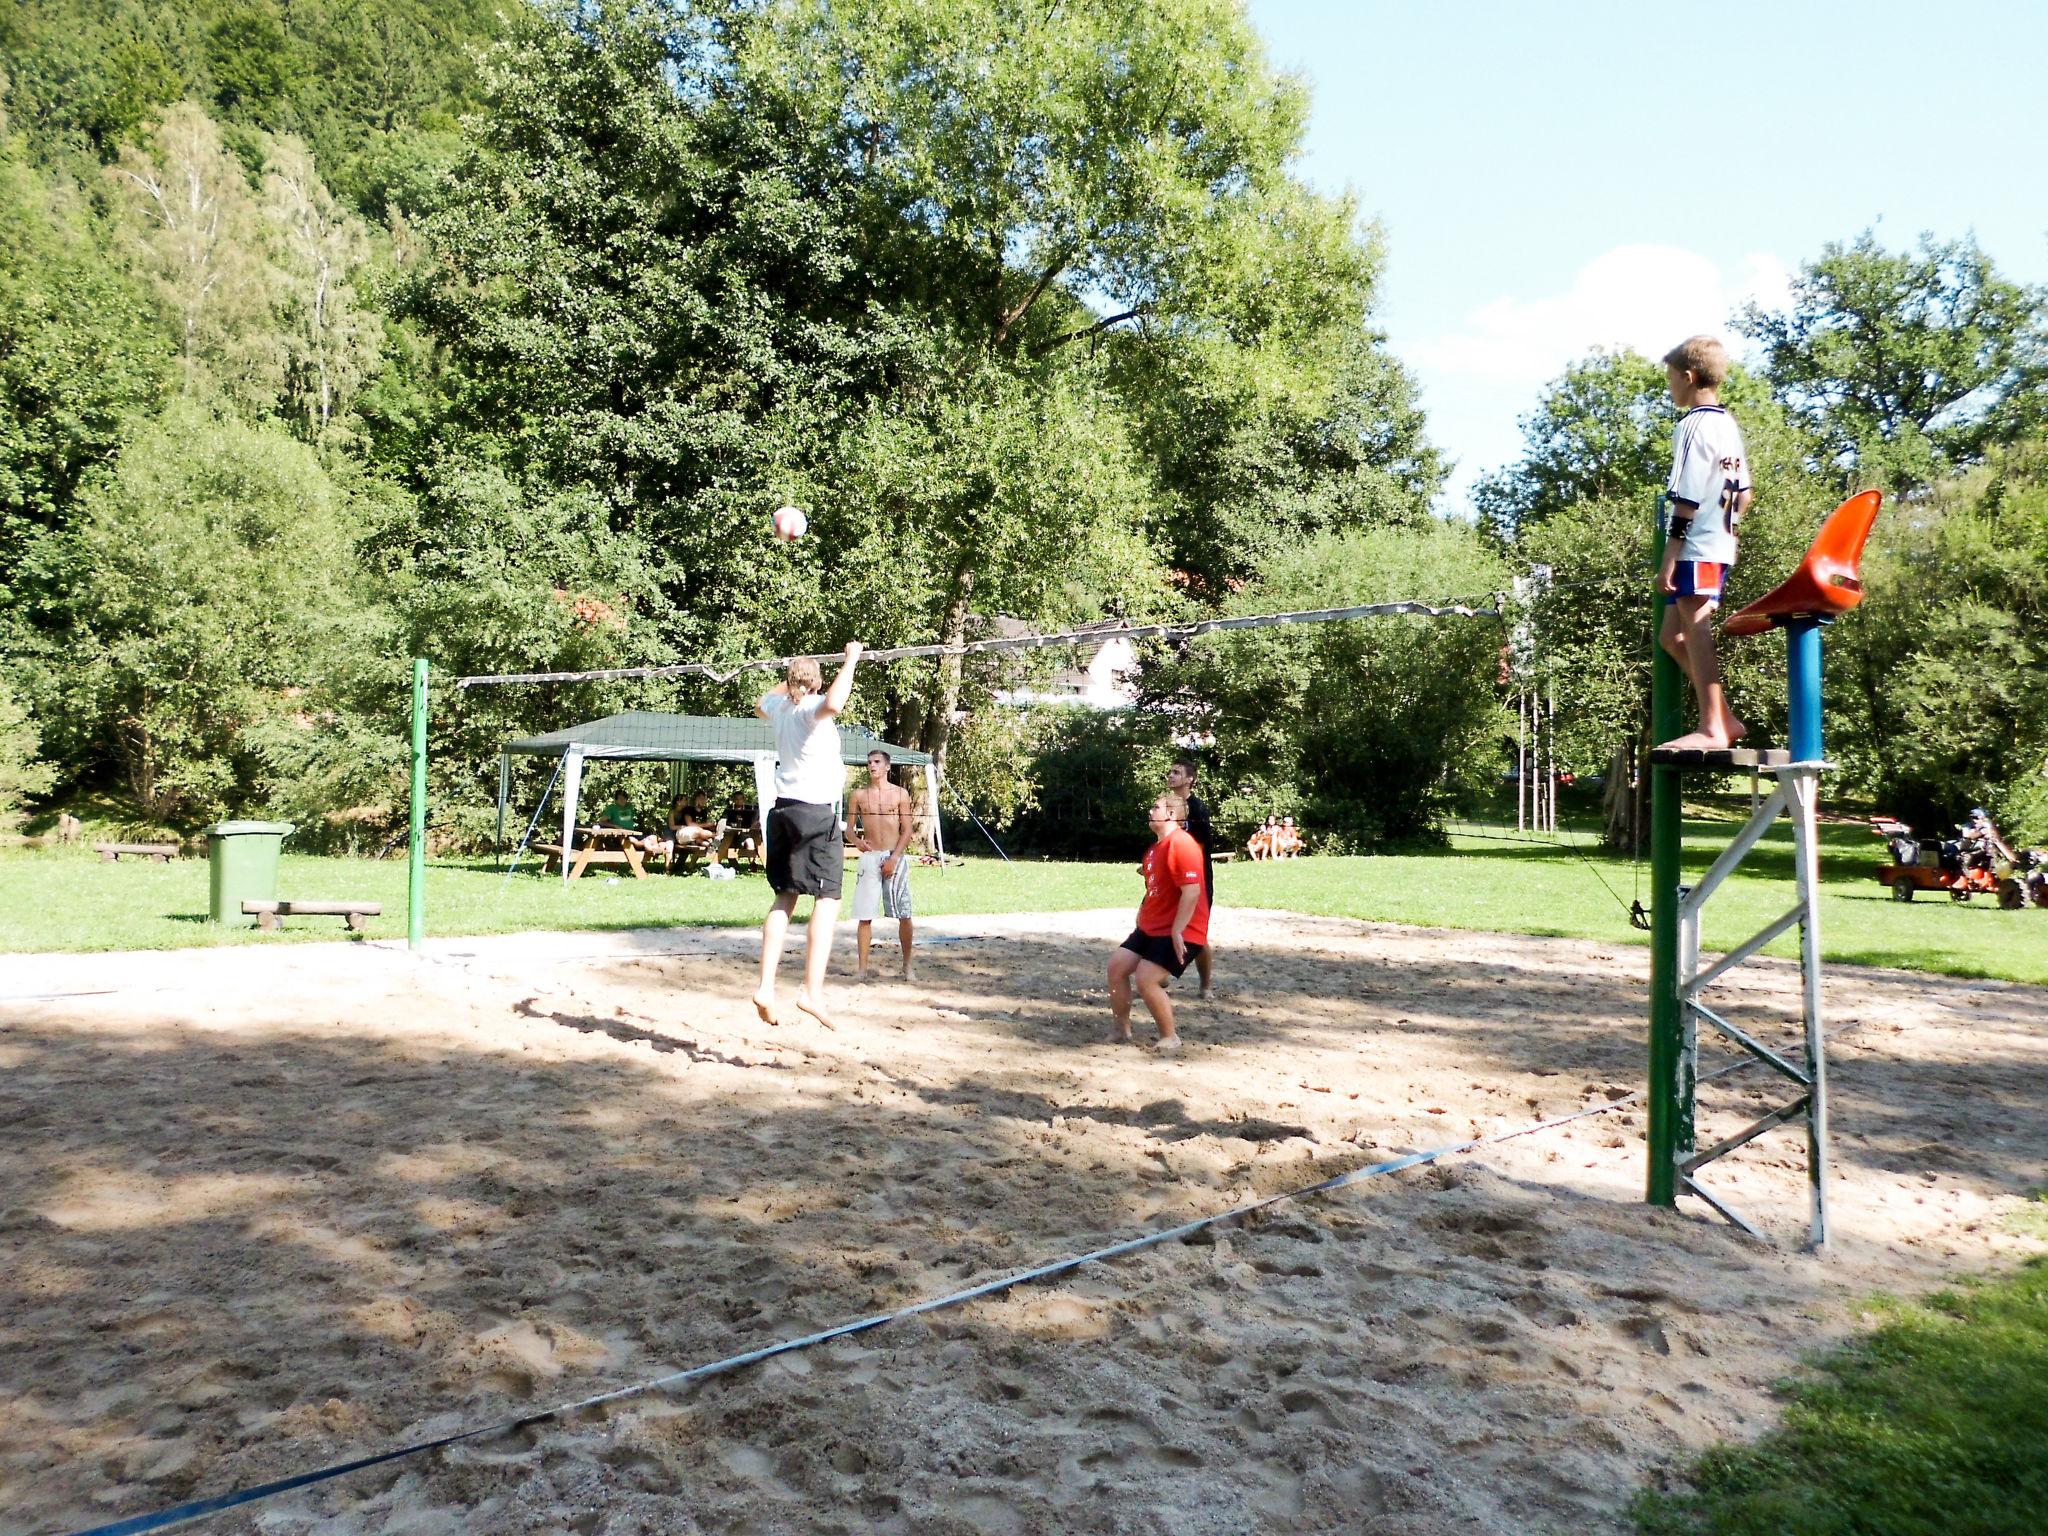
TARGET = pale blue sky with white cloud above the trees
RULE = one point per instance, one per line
(1560, 177)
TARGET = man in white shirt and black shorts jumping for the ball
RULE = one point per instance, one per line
(806, 851)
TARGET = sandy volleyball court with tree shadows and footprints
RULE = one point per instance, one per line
(269, 1209)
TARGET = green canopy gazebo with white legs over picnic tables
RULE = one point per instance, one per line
(652, 736)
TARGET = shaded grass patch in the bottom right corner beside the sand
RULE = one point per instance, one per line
(1934, 1424)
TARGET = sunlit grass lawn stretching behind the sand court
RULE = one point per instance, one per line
(67, 900)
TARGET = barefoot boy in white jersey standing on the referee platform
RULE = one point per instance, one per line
(1709, 490)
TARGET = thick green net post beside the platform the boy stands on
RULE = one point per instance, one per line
(1666, 1025)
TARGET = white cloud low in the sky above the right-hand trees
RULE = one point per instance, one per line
(1484, 376)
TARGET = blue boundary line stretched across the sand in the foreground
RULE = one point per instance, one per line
(202, 1508)
